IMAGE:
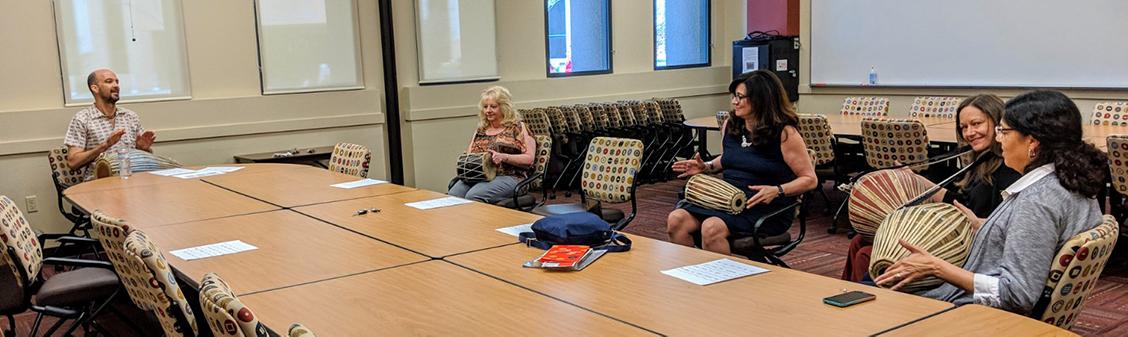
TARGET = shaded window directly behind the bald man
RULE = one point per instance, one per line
(143, 41)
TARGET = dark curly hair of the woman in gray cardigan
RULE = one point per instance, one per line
(1055, 121)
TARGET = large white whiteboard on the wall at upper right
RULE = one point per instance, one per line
(971, 43)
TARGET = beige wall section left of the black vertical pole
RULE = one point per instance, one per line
(226, 117)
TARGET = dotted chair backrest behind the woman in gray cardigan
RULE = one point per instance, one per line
(1074, 272)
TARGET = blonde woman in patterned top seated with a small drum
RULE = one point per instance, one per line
(509, 144)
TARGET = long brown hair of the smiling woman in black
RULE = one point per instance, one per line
(993, 107)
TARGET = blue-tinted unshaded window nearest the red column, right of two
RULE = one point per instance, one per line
(682, 34)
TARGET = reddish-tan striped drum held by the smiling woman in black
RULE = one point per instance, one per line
(877, 194)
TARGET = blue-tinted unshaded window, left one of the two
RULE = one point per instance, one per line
(578, 37)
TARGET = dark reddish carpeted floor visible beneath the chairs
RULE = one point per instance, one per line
(1106, 312)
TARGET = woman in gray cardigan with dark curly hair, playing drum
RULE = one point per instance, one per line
(1054, 201)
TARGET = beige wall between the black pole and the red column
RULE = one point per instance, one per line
(439, 120)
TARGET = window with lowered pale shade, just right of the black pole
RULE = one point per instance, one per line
(456, 40)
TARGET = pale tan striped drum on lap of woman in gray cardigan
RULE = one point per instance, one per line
(940, 229)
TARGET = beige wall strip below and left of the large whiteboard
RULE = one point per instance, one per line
(829, 101)
